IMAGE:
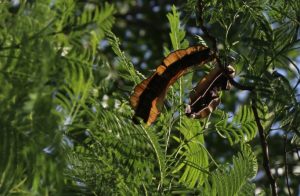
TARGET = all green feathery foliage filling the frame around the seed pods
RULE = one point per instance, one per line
(67, 69)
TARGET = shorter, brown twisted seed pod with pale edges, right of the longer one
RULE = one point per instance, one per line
(204, 98)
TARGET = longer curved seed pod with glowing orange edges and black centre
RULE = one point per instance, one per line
(148, 96)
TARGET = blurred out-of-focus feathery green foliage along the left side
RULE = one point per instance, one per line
(45, 68)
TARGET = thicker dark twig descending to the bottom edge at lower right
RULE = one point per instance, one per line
(265, 150)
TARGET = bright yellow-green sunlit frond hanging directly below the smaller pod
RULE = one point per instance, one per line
(192, 155)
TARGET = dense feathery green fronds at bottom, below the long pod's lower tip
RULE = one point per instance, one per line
(111, 155)
